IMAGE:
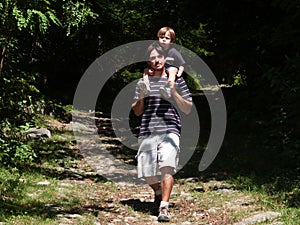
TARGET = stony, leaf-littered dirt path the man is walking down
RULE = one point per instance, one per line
(194, 200)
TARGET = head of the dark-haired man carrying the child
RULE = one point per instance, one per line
(156, 56)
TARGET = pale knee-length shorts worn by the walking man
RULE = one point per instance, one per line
(157, 151)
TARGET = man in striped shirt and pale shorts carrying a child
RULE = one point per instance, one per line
(160, 129)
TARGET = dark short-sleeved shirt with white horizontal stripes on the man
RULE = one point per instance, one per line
(160, 115)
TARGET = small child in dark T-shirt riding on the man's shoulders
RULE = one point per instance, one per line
(174, 62)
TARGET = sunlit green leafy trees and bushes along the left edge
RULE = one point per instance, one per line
(24, 26)
